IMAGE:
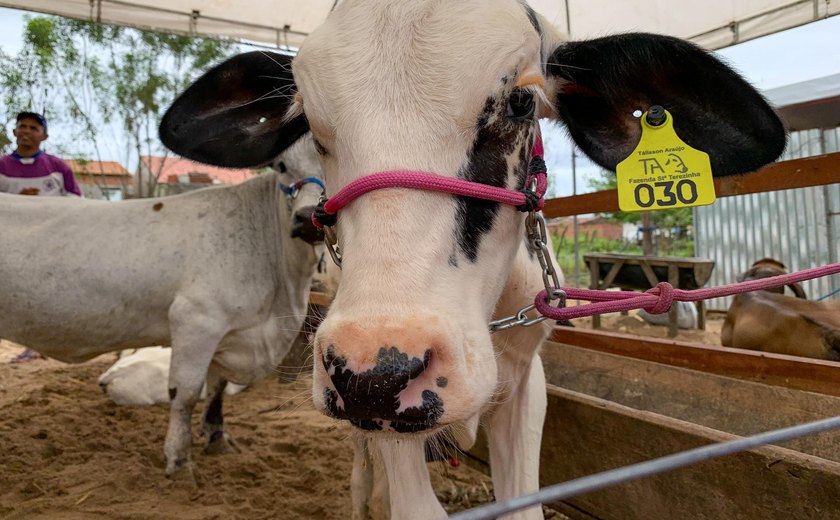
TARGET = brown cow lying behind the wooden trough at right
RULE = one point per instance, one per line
(771, 321)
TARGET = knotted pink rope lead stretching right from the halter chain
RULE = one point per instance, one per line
(659, 299)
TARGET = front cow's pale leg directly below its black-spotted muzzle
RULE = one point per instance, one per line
(409, 485)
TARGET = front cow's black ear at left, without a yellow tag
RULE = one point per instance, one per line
(235, 114)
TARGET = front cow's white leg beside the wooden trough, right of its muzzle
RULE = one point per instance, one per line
(514, 434)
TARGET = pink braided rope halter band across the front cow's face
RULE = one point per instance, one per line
(525, 200)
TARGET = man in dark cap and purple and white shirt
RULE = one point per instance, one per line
(28, 170)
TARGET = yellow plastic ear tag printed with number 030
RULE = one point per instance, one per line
(663, 172)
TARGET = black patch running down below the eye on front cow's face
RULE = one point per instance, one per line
(487, 164)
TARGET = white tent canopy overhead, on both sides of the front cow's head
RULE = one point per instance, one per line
(284, 23)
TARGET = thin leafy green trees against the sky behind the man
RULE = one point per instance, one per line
(109, 85)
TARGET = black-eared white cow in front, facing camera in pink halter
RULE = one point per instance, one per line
(453, 87)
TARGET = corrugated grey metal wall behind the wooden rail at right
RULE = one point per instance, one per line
(799, 227)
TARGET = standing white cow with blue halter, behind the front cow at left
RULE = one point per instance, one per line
(80, 278)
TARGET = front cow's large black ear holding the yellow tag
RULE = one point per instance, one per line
(597, 85)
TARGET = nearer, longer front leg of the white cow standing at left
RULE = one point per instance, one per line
(194, 342)
